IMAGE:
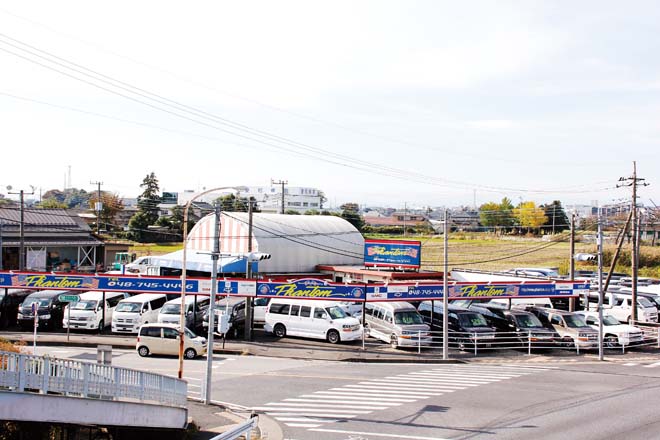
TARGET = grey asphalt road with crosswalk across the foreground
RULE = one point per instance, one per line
(328, 400)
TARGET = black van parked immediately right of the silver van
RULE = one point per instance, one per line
(466, 328)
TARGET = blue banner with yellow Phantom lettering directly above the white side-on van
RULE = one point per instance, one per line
(312, 288)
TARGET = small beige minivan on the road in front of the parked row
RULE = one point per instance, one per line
(165, 339)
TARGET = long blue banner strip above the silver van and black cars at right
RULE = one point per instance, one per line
(416, 292)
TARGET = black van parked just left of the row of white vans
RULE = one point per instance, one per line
(50, 309)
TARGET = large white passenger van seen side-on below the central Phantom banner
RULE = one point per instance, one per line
(311, 319)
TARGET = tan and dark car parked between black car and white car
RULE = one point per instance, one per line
(571, 327)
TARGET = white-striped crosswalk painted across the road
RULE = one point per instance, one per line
(346, 402)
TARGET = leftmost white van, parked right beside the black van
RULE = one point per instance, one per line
(88, 314)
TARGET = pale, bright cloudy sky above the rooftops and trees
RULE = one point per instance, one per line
(395, 103)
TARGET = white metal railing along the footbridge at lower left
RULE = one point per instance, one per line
(41, 374)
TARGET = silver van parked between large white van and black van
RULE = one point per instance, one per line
(398, 323)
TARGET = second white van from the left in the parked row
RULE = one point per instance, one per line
(132, 312)
